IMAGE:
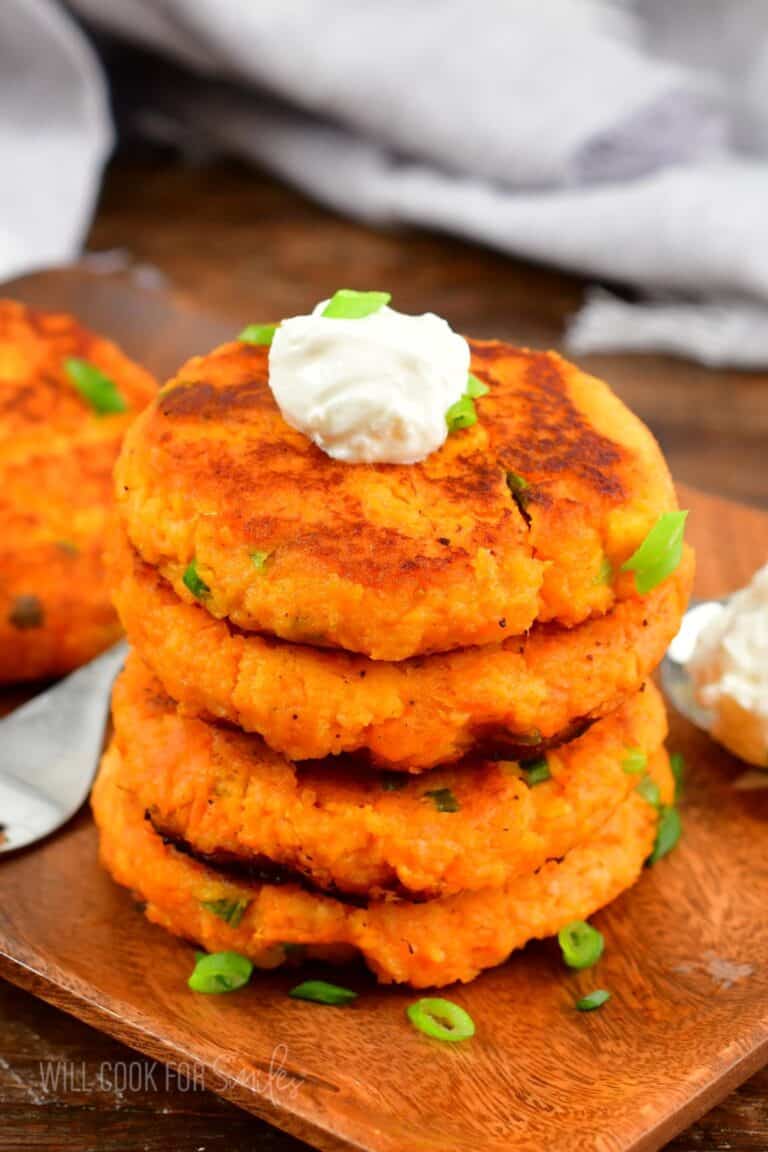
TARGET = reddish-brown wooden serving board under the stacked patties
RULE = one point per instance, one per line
(687, 956)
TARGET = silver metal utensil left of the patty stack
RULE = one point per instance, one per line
(50, 751)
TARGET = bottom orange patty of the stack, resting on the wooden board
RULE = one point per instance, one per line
(427, 944)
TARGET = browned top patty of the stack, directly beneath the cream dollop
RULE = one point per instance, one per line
(522, 518)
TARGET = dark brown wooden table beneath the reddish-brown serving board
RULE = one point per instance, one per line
(248, 248)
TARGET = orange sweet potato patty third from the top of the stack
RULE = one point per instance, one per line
(345, 829)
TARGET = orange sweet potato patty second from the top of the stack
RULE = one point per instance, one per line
(309, 703)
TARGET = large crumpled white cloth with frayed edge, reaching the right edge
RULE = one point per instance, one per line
(627, 141)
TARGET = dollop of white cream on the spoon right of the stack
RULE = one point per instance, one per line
(729, 670)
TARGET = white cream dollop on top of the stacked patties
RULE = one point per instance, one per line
(374, 390)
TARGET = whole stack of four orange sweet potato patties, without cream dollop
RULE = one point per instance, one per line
(398, 711)
